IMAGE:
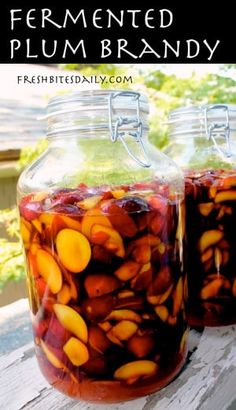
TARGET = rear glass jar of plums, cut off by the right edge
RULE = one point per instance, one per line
(203, 143)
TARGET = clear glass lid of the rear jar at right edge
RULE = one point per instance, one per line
(203, 120)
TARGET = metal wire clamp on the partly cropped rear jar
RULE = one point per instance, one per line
(213, 129)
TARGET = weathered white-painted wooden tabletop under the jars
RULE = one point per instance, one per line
(207, 382)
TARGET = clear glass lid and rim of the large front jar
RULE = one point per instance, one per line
(96, 109)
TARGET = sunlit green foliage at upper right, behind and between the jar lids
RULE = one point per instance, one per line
(168, 91)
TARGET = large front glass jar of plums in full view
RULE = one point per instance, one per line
(101, 220)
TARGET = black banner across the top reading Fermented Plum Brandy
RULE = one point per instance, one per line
(122, 32)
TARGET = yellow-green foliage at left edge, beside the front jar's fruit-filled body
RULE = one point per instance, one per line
(11, 255)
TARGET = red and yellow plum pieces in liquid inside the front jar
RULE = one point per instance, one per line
(106, 288)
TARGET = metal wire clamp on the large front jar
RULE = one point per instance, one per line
(116, 133)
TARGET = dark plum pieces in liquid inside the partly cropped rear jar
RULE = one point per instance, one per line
(211, 244)
